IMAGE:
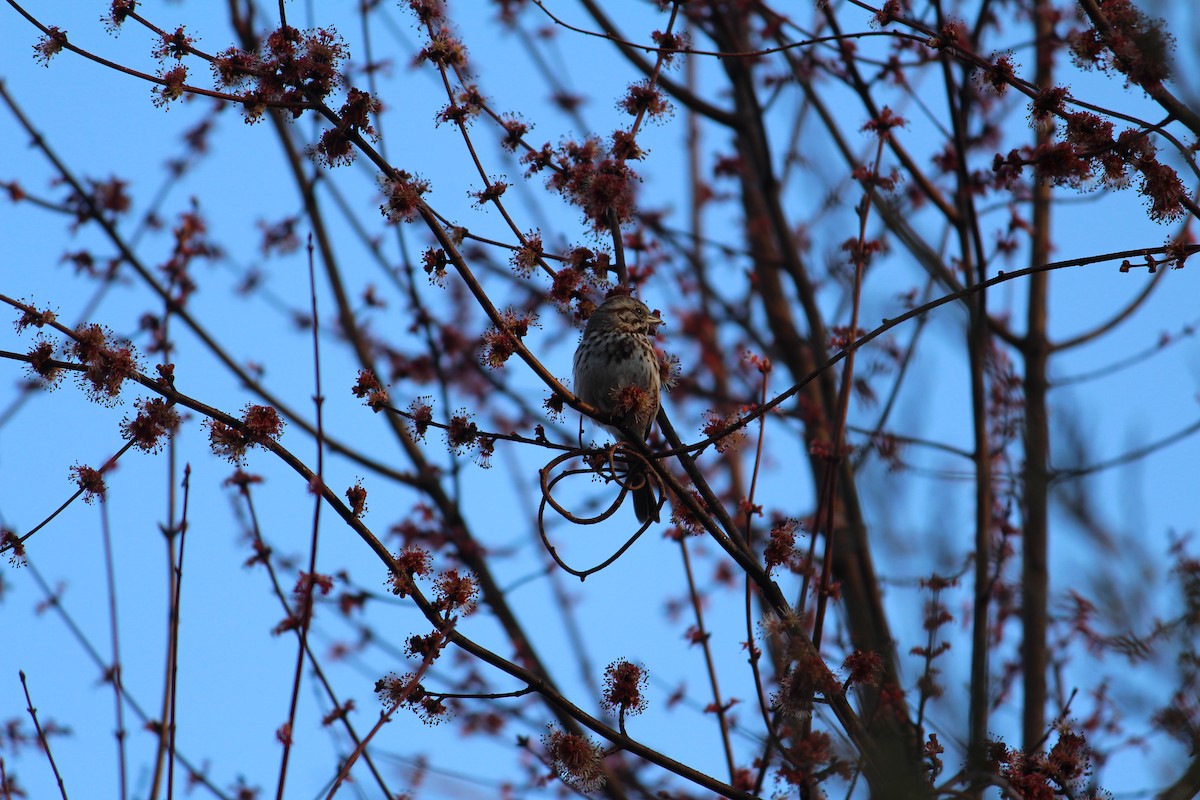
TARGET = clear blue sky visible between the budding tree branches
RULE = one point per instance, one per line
(235, 678)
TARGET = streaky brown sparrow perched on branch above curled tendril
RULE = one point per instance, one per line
(617, 371)
